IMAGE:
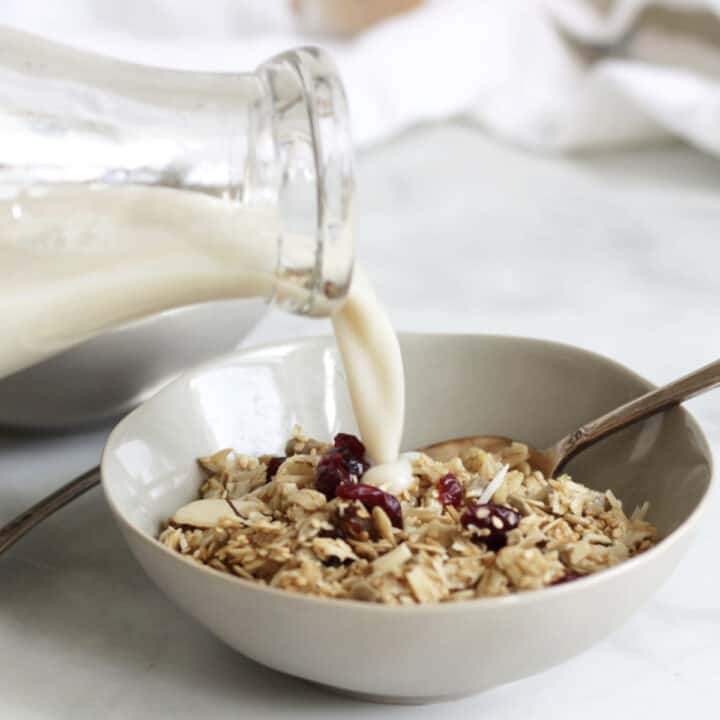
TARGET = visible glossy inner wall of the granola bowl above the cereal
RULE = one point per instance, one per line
(534, 391)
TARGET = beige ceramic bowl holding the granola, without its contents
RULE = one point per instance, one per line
(457, 384)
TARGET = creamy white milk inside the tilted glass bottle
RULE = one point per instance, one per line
(118, 255)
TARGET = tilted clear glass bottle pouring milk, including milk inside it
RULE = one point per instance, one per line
(127, 190)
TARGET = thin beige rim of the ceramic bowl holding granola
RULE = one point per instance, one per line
(477, 604)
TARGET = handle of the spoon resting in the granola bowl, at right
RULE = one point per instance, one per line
(640, 408)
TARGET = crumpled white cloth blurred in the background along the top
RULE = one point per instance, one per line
(546, 74)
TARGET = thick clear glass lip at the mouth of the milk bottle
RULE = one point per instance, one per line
(314, 180)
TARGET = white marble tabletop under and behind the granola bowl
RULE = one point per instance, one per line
(618, 254)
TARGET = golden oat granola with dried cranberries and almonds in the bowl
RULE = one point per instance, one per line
(481, 525)
